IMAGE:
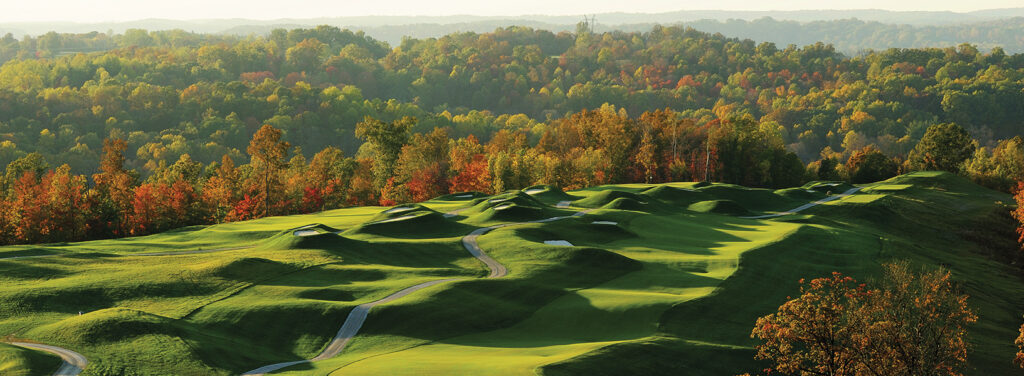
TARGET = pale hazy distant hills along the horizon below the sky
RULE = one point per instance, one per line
(850, 31)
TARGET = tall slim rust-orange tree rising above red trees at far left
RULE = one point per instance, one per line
(114, 188)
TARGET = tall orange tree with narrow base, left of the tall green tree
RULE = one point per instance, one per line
(269, 155)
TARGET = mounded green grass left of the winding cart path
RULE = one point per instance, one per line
(217, 313)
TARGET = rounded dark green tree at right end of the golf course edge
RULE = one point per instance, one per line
(945, 147)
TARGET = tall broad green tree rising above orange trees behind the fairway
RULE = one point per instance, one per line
(388, 140)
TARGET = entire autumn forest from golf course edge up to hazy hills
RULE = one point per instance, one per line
(162, 130)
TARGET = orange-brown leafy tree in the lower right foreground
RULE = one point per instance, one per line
(910, 324)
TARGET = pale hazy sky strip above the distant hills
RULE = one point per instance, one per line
(100, 11)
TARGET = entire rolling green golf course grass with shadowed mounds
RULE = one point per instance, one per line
(662, 279)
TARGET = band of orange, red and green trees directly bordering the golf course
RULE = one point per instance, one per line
(398, 165)
